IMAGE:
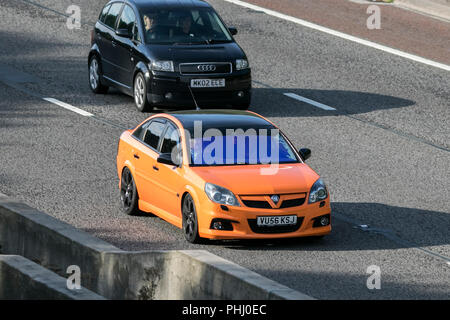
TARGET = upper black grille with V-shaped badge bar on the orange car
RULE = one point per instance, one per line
(265, 201)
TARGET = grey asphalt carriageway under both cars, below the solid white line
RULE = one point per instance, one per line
(384, 151)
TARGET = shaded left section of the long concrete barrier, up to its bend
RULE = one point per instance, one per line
(53, 244)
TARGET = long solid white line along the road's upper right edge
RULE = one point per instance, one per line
(342, 35)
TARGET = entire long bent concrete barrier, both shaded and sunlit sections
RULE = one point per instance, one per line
(118, 274)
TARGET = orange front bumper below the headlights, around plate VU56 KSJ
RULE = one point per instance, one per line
(244, 222)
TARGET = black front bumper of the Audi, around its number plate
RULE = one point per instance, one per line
(171, 90)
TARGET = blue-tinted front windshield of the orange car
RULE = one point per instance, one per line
(240, 150)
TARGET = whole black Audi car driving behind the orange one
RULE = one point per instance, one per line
(166, 52)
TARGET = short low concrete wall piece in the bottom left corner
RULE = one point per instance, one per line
(21, 278)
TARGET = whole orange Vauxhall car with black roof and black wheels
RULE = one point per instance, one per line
(221, 174)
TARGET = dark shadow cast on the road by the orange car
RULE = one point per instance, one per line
(388, 227)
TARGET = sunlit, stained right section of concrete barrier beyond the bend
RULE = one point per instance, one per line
(185, 274)
